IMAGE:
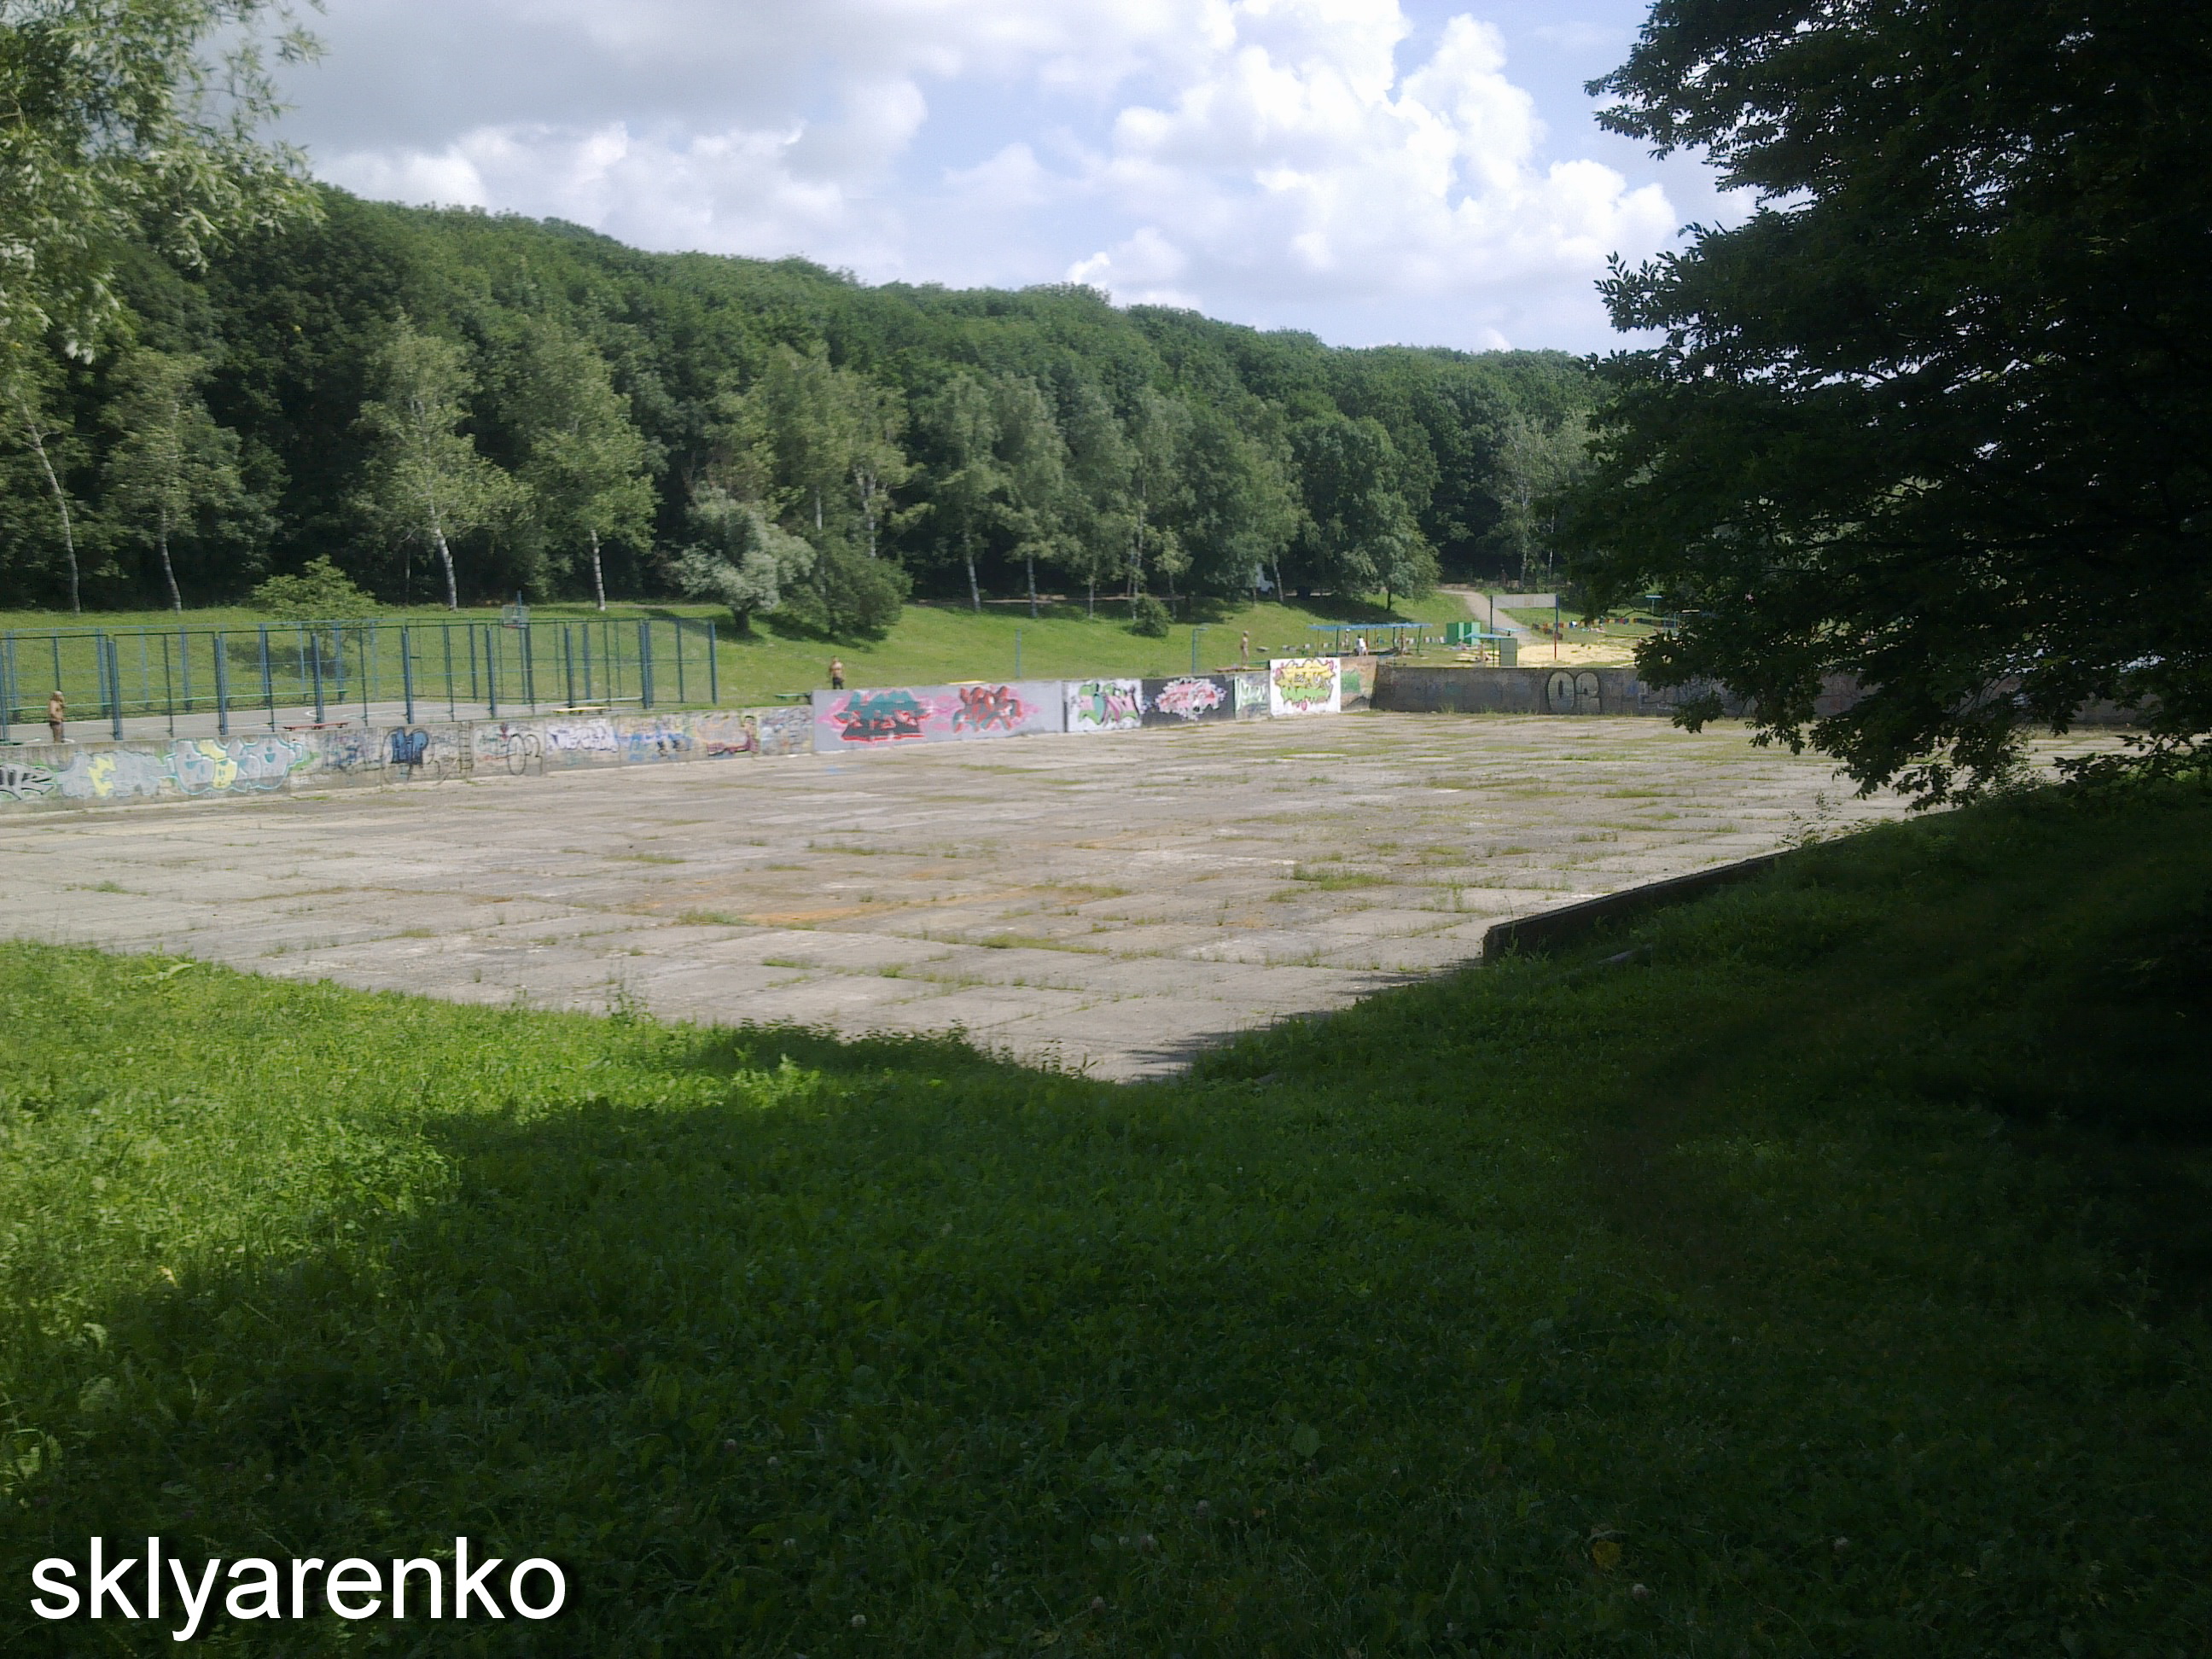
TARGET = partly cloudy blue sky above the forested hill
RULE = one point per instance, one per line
(1373, 171)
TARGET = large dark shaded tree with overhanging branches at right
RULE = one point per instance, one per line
(1939, 415)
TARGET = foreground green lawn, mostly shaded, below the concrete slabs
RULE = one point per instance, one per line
(1830, 1282)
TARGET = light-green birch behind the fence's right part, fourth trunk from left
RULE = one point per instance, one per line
(583, 459)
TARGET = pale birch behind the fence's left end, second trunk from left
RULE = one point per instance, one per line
(171, 463)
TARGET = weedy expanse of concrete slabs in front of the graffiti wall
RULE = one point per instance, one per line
(1100, 901)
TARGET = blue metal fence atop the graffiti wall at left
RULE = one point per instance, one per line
(326, 671)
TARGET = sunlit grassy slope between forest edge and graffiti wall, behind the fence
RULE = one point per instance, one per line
(930, 645)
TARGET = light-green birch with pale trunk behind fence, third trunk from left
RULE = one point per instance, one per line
(428, 483)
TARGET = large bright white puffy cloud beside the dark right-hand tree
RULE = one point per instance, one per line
(1304, 167)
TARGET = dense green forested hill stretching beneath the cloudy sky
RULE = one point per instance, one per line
(760, 430)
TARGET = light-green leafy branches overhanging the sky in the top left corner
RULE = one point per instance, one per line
(132, 121)
